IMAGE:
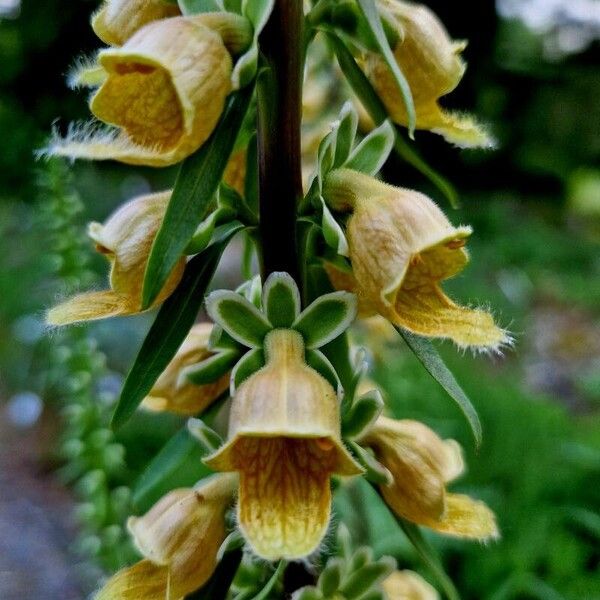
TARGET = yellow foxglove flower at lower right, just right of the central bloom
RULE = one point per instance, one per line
(422, 464)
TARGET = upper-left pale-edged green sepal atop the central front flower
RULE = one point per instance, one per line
(238, 317)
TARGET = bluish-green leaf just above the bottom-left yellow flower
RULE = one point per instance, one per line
(178, 464)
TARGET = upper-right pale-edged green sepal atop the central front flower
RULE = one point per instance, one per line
(326, 318)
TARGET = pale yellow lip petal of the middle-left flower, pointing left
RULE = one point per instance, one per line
(89, 307)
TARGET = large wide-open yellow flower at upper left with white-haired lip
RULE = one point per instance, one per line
(164, 91)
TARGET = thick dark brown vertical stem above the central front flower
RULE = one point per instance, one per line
(279, 99)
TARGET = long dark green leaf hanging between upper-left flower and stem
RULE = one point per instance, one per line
(195, 187)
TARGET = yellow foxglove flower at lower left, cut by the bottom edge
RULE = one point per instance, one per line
(179, 538)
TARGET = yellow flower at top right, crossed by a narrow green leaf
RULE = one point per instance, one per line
(433, 67)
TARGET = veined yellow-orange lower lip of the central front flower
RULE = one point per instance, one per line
(285, 497)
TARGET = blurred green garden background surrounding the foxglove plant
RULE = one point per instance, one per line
(534, 75)
